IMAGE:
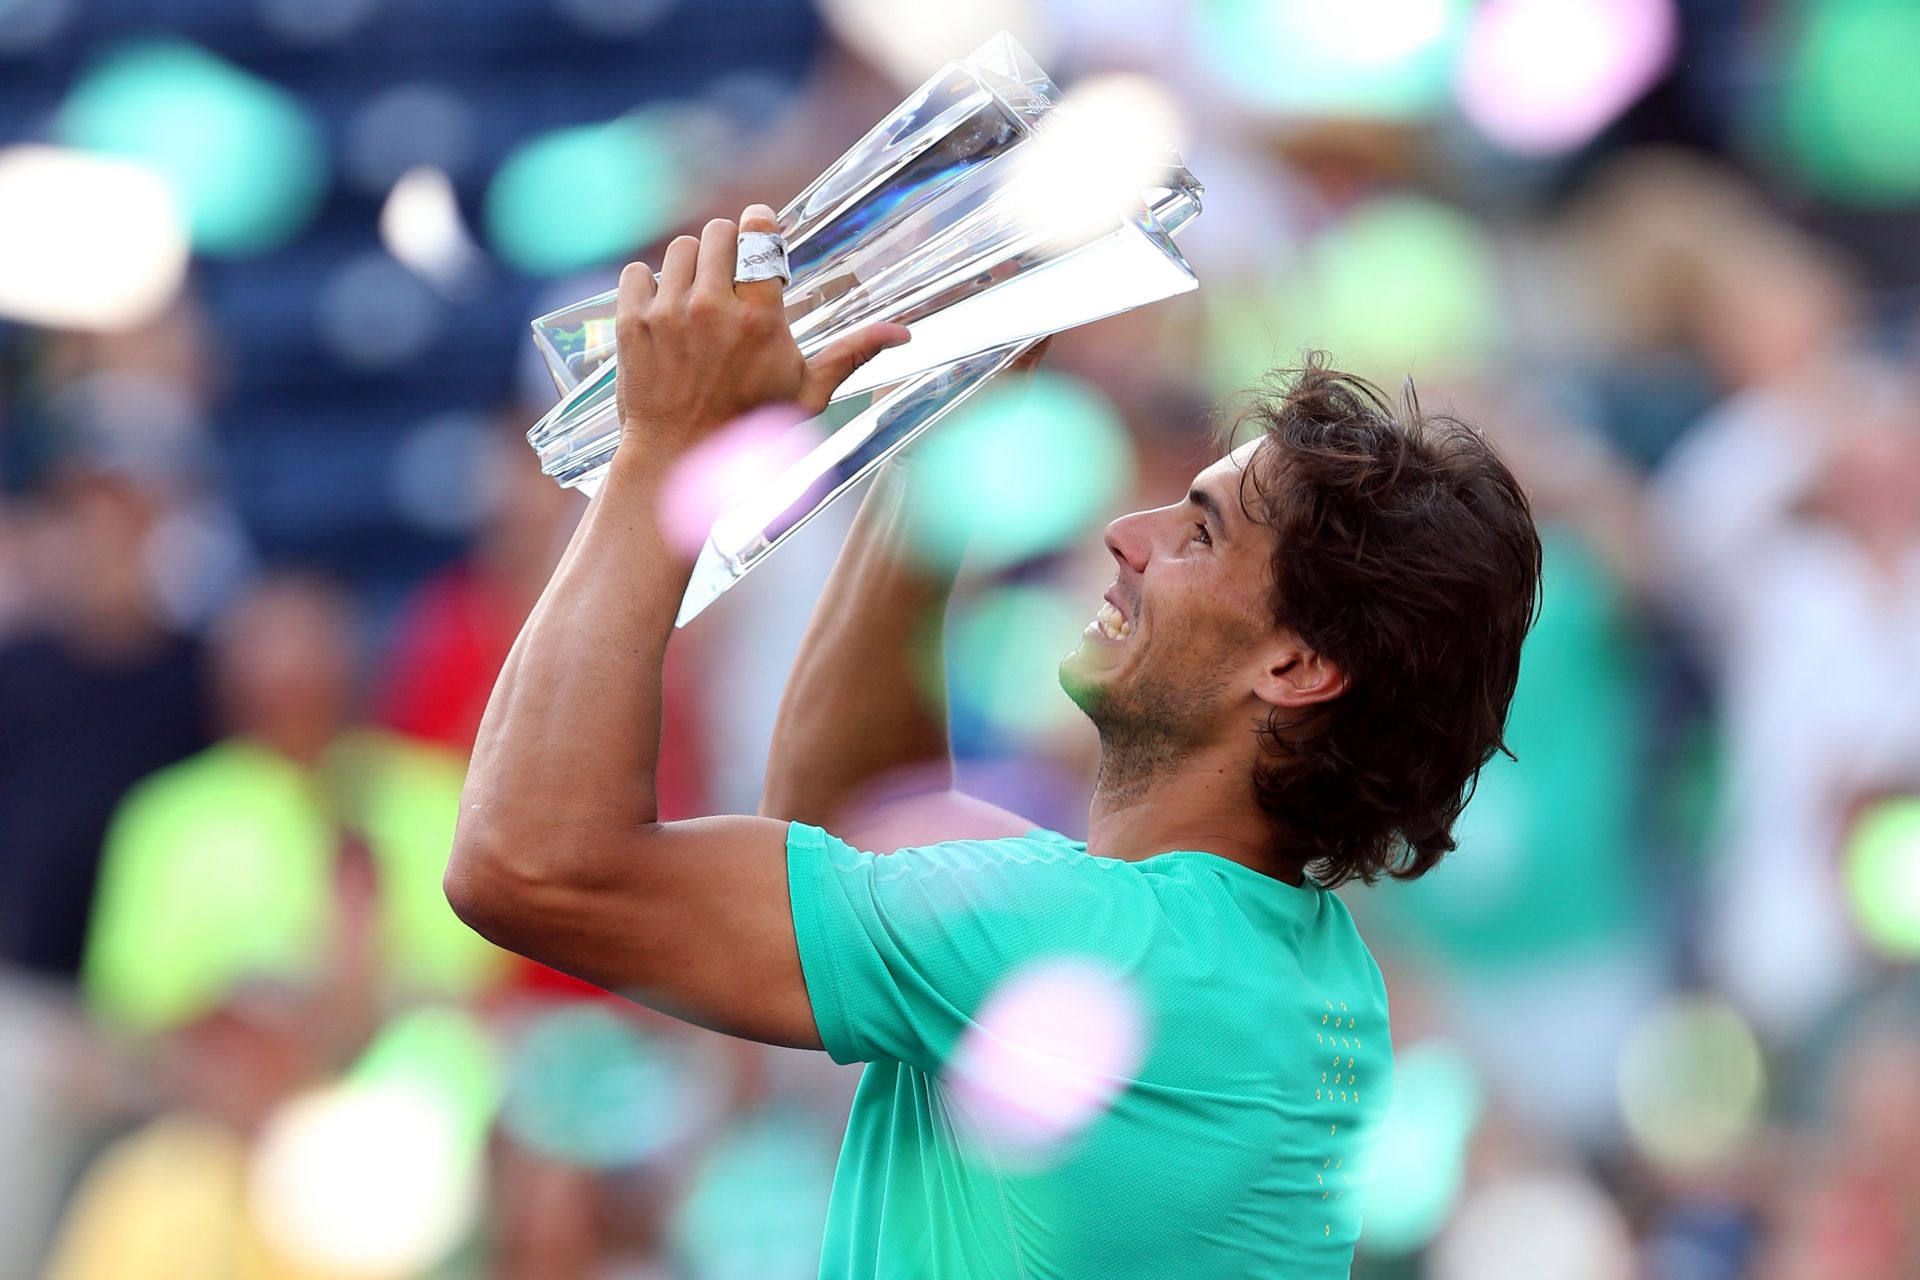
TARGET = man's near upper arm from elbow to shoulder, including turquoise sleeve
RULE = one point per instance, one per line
(792, 936)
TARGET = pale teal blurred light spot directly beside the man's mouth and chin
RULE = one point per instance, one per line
(1005, 659)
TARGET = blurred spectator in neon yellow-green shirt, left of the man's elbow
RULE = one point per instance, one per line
(299, 849)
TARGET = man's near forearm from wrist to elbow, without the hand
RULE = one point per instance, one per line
(569, 746)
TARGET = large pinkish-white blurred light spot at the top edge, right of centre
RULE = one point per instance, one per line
(1548, 76)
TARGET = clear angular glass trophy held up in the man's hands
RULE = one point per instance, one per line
(938, 220)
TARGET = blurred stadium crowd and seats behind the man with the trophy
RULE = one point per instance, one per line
(1656, 1018)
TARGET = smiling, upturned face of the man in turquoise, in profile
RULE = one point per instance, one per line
(1188, 628)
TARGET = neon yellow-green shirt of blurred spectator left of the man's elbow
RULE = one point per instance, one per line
(220, 870)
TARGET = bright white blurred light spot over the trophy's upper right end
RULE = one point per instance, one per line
(1109, 141)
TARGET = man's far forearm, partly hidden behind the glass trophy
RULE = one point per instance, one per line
(867, 694)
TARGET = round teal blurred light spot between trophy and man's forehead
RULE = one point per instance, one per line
(1019, 471)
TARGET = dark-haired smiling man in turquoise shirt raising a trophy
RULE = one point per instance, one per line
(1297, 676)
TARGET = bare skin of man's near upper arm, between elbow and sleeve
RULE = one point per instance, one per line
(696, 926)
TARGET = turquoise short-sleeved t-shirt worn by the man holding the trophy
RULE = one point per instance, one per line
(1234, 1149)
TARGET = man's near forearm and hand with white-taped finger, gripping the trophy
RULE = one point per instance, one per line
(564, 780)
